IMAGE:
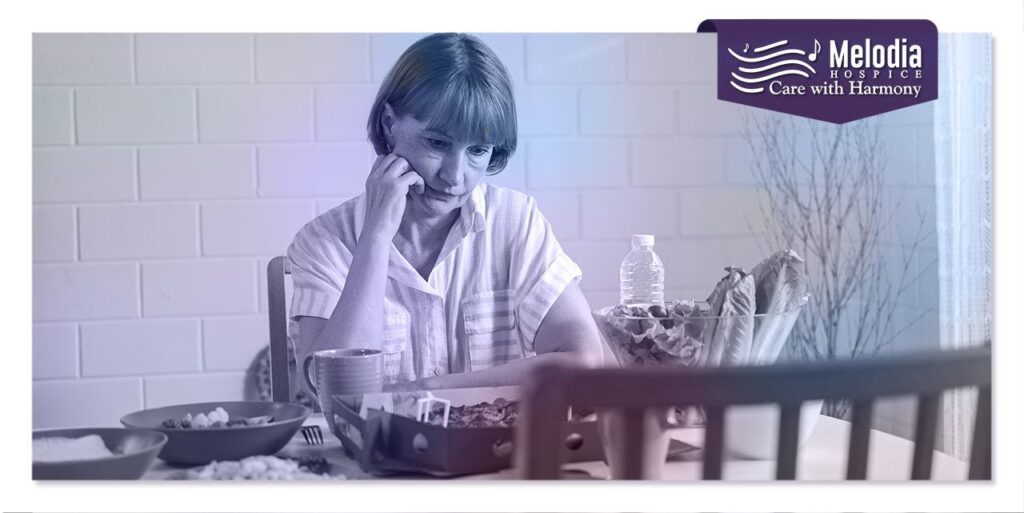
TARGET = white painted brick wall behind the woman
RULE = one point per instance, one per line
(169, 168)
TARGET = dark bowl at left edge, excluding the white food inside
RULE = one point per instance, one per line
(135, 451)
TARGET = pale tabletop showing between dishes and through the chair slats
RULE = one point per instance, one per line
(823, 457)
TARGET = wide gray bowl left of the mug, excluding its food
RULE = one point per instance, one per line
(199, 447)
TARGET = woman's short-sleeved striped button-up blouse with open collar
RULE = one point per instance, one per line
(500, 271)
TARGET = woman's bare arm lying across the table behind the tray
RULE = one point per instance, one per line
(568, 334)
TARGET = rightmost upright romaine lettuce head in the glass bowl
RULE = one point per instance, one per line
(782, 287)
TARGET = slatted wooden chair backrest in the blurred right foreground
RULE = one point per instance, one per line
(553, 389)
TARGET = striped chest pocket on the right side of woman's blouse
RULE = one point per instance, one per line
(490, 326)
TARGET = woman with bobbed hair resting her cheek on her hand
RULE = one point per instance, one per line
(461, 284)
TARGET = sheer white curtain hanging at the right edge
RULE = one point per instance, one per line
(964, 225)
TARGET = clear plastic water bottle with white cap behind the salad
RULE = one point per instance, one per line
(642, 278)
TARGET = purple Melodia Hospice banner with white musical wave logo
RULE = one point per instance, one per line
(829, 70)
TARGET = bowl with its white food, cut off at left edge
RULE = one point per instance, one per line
(95, 453)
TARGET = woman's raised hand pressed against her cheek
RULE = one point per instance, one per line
(391, 180)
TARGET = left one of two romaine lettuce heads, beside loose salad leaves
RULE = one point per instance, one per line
(733, 331)
